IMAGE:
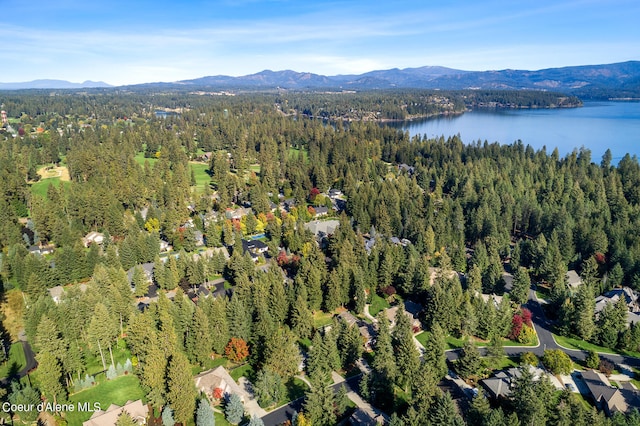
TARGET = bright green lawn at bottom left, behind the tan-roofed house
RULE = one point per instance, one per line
(117, 391)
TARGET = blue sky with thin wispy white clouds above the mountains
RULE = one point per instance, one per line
(136, 41)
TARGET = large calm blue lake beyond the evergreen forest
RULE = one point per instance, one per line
(596, 125)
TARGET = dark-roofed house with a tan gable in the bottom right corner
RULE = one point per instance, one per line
(608, 398)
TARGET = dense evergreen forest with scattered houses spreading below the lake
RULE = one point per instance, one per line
(427, 207)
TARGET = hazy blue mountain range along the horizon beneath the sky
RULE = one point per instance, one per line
(619, 79)
